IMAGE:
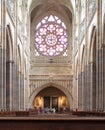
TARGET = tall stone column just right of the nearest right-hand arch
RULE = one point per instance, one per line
(99, 87)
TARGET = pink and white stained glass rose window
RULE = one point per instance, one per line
(51, 37)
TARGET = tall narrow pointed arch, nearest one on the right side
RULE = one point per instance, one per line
(92, 66)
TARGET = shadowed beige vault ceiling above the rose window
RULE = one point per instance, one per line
(62, 8)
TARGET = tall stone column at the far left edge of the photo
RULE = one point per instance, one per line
(2, 46)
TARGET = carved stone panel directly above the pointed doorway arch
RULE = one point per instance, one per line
(38, 81)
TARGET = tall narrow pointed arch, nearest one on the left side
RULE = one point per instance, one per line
(9, 62)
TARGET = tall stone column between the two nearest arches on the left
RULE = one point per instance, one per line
(15, 103)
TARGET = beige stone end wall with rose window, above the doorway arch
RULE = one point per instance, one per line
(51, 42)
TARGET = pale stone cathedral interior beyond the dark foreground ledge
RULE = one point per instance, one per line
(52, 57)
